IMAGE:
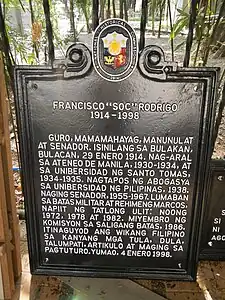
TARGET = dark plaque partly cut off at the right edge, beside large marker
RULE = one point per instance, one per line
(213, 233)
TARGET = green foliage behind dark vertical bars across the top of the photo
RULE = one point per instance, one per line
(29, 47)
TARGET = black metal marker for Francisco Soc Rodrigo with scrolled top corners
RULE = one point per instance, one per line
(190, 91)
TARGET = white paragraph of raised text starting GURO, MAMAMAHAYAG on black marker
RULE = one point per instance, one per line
(115, 195)
